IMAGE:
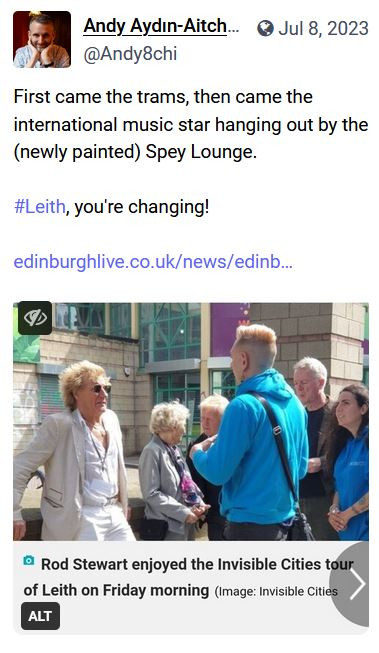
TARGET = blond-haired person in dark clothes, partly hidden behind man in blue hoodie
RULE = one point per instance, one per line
(211, 411)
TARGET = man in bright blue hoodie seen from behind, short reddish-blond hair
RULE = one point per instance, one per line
(256, 500)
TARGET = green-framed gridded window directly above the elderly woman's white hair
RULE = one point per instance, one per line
(169, 332)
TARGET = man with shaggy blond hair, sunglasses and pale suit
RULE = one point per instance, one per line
(84, 494)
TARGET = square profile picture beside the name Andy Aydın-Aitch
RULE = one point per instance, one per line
(42, 39)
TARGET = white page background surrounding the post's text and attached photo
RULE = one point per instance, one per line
(307, 198)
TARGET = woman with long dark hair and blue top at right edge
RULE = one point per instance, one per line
(348, 514)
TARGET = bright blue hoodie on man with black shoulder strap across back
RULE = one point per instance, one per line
(244, 458)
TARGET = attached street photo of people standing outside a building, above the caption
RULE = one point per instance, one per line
(192, 421)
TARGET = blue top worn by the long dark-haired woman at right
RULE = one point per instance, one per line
(351, 478)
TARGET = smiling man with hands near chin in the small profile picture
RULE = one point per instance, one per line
(41, 51)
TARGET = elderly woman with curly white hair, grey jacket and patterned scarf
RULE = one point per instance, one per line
(173, 502)
